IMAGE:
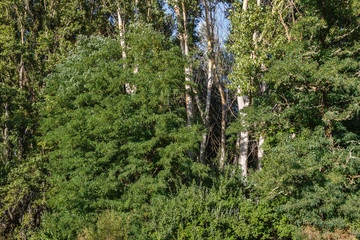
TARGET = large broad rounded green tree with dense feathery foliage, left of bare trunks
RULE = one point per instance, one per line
(108, 149)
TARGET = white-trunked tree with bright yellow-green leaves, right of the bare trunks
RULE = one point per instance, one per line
(257, 33)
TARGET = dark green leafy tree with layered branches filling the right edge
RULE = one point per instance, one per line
(309, 114)
